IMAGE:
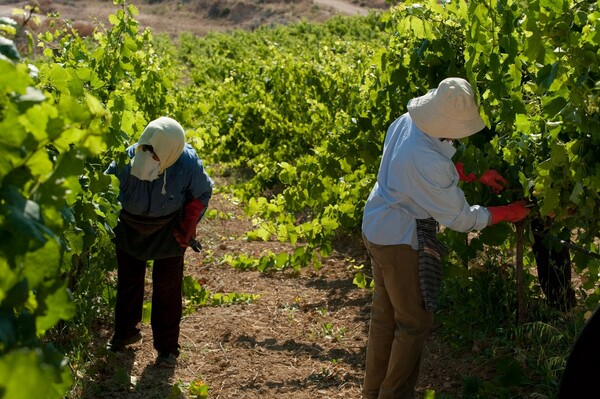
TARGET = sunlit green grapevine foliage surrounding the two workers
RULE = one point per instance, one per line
(299, 114)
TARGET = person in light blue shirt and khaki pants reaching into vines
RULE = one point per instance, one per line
(416, 189)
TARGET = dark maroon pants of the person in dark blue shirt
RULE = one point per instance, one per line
(167, 276)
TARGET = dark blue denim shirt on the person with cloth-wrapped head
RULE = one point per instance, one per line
(184, 180)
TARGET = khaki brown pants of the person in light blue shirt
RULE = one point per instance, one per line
(399, 323)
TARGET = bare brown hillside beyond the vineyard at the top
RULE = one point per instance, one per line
(201, 16)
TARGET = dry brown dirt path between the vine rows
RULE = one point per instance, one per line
(303, 338)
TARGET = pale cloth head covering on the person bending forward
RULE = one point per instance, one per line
(167, 138)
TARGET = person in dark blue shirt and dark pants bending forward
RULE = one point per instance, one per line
(164, 193)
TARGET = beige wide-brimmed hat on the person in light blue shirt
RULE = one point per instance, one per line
(448, 111)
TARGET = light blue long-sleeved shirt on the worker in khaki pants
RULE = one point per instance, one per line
(416, 180)
